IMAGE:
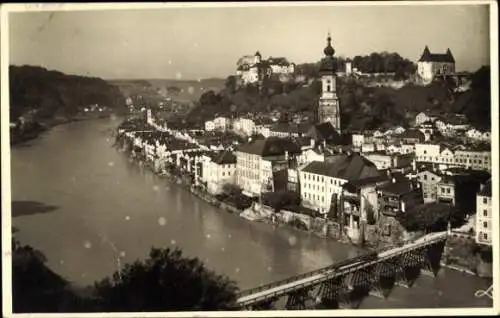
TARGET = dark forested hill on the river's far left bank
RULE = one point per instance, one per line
(44, 98)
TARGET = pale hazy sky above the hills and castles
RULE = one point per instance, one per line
(207, 42)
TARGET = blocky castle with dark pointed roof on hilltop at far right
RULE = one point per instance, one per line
(431, 65)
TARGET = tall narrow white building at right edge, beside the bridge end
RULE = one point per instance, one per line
(484, 224)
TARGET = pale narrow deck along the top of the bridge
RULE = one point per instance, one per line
(328, 274)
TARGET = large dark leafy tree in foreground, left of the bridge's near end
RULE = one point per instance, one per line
(166, 281)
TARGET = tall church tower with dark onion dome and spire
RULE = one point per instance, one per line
(328, 108)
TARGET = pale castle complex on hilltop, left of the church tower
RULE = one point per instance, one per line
(253, 69)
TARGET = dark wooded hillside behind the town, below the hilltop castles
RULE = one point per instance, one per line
(362, 107)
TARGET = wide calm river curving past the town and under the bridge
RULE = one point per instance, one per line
(90, 210)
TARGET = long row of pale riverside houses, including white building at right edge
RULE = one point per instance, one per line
(338, 183)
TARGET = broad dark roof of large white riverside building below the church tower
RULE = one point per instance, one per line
(347, 167)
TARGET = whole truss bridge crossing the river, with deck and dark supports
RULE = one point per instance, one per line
(343, 284)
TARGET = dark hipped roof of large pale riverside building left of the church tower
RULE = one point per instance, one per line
(271, 146)
